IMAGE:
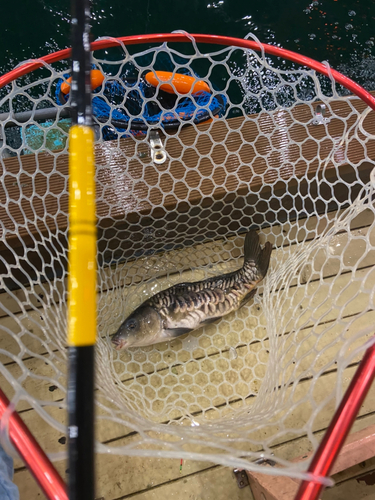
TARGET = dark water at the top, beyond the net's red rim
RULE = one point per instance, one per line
(340, 32)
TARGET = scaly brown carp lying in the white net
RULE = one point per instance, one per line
(185, 307)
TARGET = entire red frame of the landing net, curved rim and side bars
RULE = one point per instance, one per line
(35, 459)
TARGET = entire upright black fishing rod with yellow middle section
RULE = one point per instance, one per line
(82, 265)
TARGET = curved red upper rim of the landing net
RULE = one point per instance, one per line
(355, 88)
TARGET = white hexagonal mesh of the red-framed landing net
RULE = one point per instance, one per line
(269, 159)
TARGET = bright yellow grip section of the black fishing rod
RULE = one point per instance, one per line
(82, 239)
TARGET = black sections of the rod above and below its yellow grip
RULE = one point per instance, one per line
(81, 483)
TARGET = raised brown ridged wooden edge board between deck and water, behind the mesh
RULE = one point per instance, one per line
(196, 199)
